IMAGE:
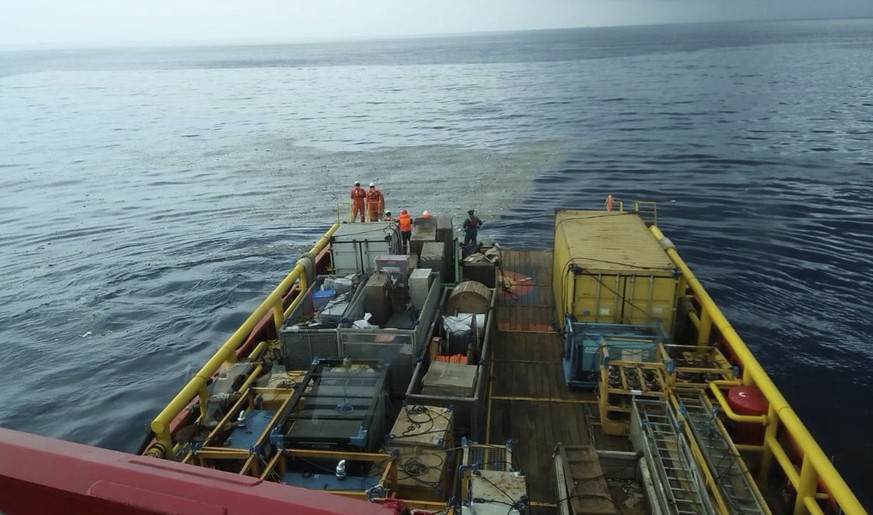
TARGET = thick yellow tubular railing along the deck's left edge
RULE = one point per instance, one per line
(227, 352)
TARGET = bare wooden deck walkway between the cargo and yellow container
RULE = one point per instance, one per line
(529, 401)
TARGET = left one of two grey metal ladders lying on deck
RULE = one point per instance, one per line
(678, 486)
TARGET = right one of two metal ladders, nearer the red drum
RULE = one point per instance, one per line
(730, 474)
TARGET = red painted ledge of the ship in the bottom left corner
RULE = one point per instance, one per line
(43, 475)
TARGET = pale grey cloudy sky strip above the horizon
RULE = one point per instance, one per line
(60, 23)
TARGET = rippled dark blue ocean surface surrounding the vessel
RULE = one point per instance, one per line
(152, 197)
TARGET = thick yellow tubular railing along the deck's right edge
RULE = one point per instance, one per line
(815, 465)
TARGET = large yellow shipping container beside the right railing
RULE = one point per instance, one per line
(609, 268)
